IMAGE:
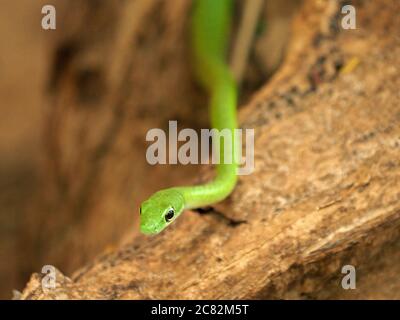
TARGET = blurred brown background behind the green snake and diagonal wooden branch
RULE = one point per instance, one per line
(76, 103)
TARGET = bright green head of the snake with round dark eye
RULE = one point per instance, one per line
(157, 212)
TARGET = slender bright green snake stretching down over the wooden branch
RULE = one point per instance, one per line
(210, 27)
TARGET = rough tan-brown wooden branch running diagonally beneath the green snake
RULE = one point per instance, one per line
(326, 186)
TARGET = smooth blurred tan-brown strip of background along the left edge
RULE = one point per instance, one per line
(23, 70)
